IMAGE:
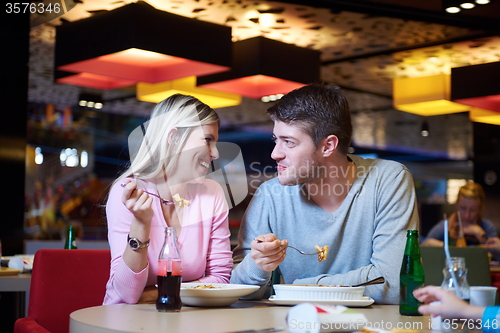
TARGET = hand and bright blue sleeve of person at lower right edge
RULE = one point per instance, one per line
(452, 307)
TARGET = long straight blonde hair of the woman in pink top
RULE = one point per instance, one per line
(154, 145)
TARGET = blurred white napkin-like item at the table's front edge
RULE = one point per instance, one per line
(316, 318)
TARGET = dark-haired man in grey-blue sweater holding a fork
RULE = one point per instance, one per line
(360, 208)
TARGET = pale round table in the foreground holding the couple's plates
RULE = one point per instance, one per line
(259, 315)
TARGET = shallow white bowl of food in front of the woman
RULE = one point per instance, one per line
(223, 295)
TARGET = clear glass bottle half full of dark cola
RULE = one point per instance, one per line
(169, 274)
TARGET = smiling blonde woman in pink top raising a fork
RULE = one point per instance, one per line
(170, 157)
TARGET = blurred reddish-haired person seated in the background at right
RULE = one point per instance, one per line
(470, 204)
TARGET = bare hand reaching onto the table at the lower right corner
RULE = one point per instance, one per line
(451, 306)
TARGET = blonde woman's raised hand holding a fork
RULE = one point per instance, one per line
(138, 202)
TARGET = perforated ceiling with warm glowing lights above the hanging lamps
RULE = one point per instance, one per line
(360, 48)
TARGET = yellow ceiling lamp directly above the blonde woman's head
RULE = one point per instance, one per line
(156, 92)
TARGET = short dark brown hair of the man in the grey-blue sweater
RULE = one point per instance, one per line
(320, 110)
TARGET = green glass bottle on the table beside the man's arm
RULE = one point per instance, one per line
(411, 276)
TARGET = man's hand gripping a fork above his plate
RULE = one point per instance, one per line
(268, 252)
